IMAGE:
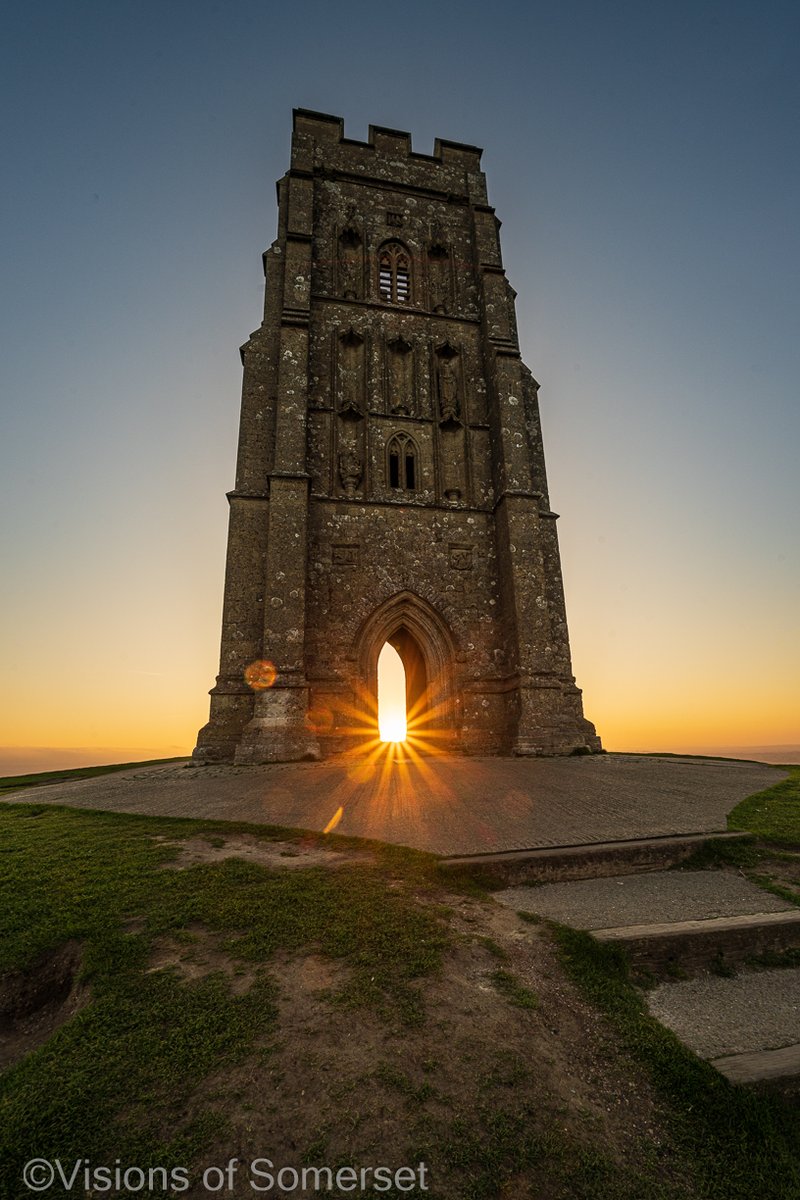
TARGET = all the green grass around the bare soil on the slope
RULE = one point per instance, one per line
(113, 1082)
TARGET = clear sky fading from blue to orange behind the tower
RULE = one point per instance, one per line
(643, 160)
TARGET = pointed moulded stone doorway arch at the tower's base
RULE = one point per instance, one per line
(413, 628)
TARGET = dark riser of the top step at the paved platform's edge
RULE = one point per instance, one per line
(593, 861)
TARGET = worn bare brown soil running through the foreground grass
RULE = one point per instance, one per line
(340, 1084)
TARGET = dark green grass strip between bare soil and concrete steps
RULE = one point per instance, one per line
(743, 1145)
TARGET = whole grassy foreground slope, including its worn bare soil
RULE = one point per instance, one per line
(177, 994)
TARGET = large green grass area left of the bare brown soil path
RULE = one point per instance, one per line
(109, 1084)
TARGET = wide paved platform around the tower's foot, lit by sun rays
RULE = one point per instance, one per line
(449, 806)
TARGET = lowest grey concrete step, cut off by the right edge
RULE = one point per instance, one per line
(747, 1027)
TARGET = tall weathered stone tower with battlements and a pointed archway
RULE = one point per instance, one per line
(390, 484)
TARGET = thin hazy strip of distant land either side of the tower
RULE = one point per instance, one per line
(39, 760)
